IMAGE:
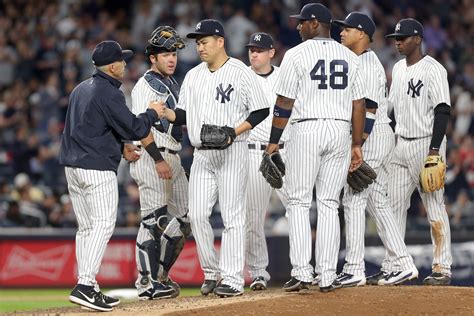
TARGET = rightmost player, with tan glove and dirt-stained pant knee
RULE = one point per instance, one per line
(420, 95)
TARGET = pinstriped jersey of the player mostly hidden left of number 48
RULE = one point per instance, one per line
(261, 132)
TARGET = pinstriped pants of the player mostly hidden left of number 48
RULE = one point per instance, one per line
(258, 195)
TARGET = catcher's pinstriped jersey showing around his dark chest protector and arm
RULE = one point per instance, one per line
(142, 95)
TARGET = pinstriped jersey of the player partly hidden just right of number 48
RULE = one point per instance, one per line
(376, 84)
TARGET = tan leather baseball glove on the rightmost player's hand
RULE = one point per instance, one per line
(432, 174)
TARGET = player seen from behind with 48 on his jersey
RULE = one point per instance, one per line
(323, 76)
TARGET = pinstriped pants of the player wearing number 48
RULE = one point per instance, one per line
(318, 155)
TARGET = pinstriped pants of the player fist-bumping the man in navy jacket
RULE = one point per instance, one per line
(220, 174)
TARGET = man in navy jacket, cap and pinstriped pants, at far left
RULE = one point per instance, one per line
(97, 120)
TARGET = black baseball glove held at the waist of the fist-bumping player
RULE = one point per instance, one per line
(216, 137)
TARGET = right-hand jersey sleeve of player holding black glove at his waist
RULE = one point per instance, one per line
(253, 92)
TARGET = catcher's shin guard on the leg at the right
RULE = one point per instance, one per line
(172, 243)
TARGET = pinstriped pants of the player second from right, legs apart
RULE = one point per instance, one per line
(376, 152)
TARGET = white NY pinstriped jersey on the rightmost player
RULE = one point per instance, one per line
(415, 92)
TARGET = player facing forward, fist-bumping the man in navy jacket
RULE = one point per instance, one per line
(220, 91)
